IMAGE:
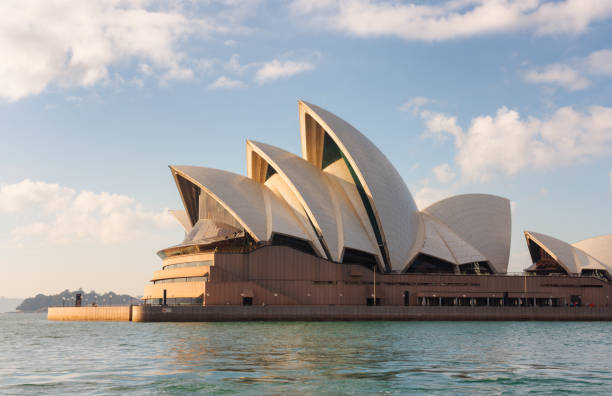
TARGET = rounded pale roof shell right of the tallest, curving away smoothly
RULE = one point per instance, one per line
(483, 221)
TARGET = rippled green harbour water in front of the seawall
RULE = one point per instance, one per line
(39, 357)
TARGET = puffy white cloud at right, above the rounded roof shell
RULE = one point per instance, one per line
(506, 143)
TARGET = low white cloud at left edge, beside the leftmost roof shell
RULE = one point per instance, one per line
(63, 215)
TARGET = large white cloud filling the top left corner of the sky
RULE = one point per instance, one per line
(69, 43)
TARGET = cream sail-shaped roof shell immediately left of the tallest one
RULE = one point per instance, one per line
(323, 200)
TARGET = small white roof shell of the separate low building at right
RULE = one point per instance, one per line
(572, 259)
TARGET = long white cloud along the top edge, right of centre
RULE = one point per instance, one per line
(453, 19)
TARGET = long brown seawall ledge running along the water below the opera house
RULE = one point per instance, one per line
(360, 312)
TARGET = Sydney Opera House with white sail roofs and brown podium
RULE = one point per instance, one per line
(338, 226)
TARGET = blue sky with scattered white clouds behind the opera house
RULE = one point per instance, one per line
(96, 99)
